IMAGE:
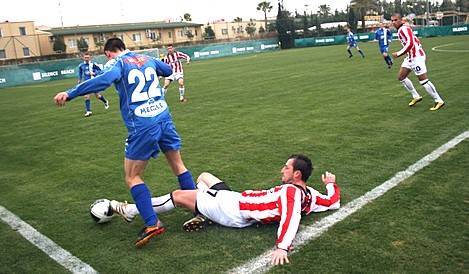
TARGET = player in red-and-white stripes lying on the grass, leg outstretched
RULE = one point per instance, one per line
(283, 204)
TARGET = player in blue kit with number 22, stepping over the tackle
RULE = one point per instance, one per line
(148, 121)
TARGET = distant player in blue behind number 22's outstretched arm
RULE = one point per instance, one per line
(86, 71)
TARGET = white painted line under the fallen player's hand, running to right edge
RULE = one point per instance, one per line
(262, 262)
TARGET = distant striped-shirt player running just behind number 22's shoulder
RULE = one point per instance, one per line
(173, 59)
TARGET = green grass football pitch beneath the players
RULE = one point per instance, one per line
(244, 116)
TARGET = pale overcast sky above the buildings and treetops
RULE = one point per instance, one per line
(91, 12)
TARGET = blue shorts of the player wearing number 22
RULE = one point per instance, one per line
(147, 144)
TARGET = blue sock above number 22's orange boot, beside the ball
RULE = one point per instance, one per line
(142, 198)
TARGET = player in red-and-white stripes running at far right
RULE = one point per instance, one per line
(414, 61)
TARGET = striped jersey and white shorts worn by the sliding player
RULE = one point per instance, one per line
(283, 204)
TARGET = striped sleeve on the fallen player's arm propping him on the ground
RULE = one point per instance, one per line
(290, 216)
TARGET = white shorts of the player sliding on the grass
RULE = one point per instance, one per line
(222, 207)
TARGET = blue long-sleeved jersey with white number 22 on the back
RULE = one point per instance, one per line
(135, 76)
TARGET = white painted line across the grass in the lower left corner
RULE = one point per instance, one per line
(53, 250)
